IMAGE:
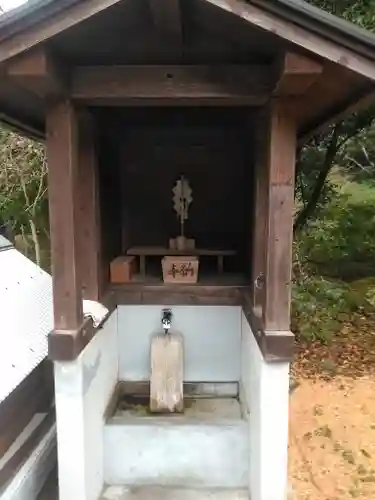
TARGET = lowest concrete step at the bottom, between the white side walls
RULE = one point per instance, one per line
(166, 493)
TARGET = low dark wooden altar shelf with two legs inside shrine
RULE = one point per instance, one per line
(143, 252)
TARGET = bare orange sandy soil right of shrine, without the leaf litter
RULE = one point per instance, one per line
(332, 439)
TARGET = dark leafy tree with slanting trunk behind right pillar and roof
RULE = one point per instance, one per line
(319, 155)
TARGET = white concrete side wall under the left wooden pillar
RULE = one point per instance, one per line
(83, 389)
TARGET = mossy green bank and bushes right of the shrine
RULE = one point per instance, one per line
(335, 249)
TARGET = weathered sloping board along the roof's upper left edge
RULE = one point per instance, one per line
(49, 26)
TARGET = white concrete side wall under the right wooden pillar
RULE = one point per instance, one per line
(266, 388)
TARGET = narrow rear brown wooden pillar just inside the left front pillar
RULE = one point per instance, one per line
(89, 209)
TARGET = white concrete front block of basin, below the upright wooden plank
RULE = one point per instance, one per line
(203, 449)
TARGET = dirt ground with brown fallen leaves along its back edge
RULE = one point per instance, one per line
(332, 419)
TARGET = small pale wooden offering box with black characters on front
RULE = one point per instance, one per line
(180, 269)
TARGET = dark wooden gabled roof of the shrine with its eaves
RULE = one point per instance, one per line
(172, 32)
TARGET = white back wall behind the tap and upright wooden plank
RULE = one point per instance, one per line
(212, 341)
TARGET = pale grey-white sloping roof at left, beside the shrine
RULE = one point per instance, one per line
(26, 317)
